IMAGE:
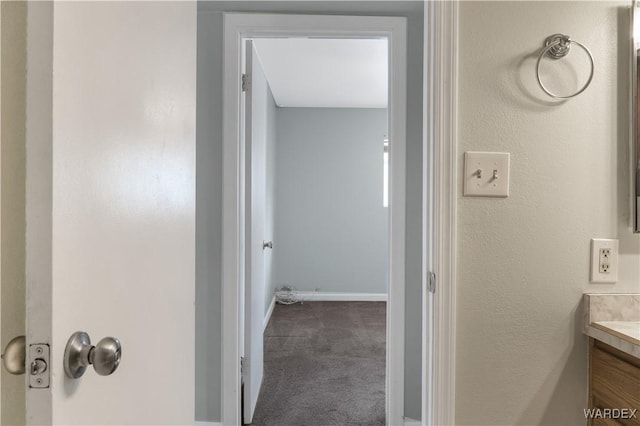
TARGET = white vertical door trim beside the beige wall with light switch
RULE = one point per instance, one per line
(439, 207)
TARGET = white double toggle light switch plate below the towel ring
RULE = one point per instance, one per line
(486, 174)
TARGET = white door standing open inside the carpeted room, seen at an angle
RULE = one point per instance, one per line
(255, 163)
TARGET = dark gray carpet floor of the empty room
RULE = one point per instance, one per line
(324, 364)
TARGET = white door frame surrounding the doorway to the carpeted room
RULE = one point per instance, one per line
(237, 27)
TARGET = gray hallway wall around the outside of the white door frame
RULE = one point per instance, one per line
(209, 185)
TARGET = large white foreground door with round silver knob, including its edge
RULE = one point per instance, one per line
(111, 206)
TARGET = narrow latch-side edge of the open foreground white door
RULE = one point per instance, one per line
(38, 193)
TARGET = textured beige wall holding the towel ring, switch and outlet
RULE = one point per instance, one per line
(523, 261)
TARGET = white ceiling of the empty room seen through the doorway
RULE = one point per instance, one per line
(345, 73)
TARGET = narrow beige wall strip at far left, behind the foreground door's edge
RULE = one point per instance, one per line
(13, 48)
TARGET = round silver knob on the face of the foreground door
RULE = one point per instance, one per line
(79, 354)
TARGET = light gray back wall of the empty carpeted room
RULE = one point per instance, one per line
(331, 226)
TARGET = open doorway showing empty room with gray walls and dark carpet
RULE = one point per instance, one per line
(317, 230)
